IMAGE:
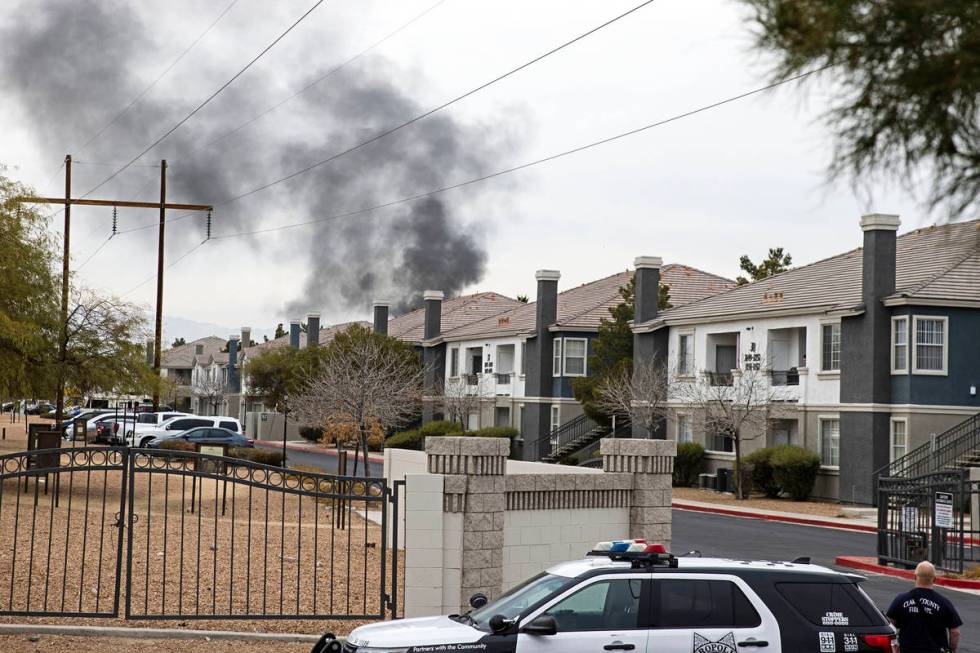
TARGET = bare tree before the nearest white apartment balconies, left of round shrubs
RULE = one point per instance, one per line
(738, 412)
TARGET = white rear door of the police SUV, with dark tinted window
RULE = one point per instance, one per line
(709, 613)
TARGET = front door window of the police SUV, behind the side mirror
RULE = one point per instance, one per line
(604, 605)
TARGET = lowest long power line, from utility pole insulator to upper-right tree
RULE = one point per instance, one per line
(529, 164)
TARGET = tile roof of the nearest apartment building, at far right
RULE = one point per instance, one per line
(941, 262)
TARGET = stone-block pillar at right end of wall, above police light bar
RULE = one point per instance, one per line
(651, 462)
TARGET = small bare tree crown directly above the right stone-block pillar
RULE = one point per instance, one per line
(637, 395)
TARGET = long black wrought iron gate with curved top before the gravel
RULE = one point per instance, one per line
(206, 537)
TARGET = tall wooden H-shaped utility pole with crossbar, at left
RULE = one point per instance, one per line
(67, 200)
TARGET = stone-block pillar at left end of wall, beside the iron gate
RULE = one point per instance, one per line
(475, 485)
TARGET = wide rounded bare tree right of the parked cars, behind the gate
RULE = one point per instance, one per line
(362, 378)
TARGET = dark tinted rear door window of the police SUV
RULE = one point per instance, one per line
(690, 603)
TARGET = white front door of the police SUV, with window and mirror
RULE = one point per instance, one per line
(605, 613)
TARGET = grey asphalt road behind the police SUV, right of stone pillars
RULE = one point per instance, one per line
(735, 537)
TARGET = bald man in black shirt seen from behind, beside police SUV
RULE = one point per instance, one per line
(927, 622)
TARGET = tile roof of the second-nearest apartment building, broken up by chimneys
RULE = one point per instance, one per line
(584, 306)
